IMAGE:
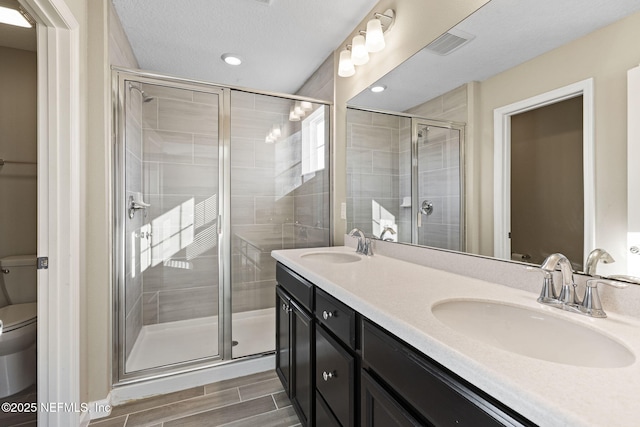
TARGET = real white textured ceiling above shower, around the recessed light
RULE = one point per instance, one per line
(281, 42)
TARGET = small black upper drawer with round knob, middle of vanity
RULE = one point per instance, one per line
(336, 317)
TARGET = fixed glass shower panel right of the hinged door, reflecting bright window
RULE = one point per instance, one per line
(279, 200)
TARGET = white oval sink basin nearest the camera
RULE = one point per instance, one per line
(533, 333)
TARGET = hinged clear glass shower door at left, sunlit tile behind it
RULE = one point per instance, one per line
(171, 217)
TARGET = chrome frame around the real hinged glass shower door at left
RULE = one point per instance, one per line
(120, 79)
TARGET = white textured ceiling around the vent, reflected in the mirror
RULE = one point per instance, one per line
(507, 33)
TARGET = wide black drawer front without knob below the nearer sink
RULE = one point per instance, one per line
(438, 395)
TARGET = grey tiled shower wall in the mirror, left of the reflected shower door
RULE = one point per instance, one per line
(378, 171)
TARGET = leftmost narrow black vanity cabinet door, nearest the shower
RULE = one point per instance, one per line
(283, 339)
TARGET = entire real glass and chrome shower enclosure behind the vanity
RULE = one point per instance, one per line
(208, 180)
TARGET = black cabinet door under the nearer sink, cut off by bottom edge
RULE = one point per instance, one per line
(379, 408)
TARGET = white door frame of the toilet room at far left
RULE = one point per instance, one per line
(58, 147)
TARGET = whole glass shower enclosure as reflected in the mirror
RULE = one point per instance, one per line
(405, 178)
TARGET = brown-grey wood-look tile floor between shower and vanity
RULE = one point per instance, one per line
(252, 401)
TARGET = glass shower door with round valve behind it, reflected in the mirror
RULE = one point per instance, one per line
(437, 194)
